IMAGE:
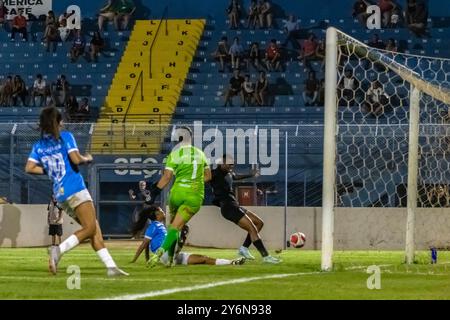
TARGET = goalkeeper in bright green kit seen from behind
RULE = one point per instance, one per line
(191, 170)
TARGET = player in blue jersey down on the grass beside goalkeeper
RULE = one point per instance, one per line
(156, 233)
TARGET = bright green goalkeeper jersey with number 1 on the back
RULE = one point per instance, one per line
(188, 164)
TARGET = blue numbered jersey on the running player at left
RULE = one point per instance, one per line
(53, 155)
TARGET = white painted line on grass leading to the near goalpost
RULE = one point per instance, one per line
(158, 293)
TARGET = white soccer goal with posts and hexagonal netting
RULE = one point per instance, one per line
(386, 133)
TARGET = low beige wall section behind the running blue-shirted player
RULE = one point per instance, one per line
(26, 226)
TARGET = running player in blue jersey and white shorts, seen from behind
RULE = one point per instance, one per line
(56, 154)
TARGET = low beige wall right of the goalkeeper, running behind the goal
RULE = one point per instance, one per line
(355, 228)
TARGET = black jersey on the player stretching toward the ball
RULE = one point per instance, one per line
(222, 184)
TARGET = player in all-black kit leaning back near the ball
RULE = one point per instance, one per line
(225, 198)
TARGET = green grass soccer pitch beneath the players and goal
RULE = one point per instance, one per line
(24, 275)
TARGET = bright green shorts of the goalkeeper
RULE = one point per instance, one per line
(186, 204)
